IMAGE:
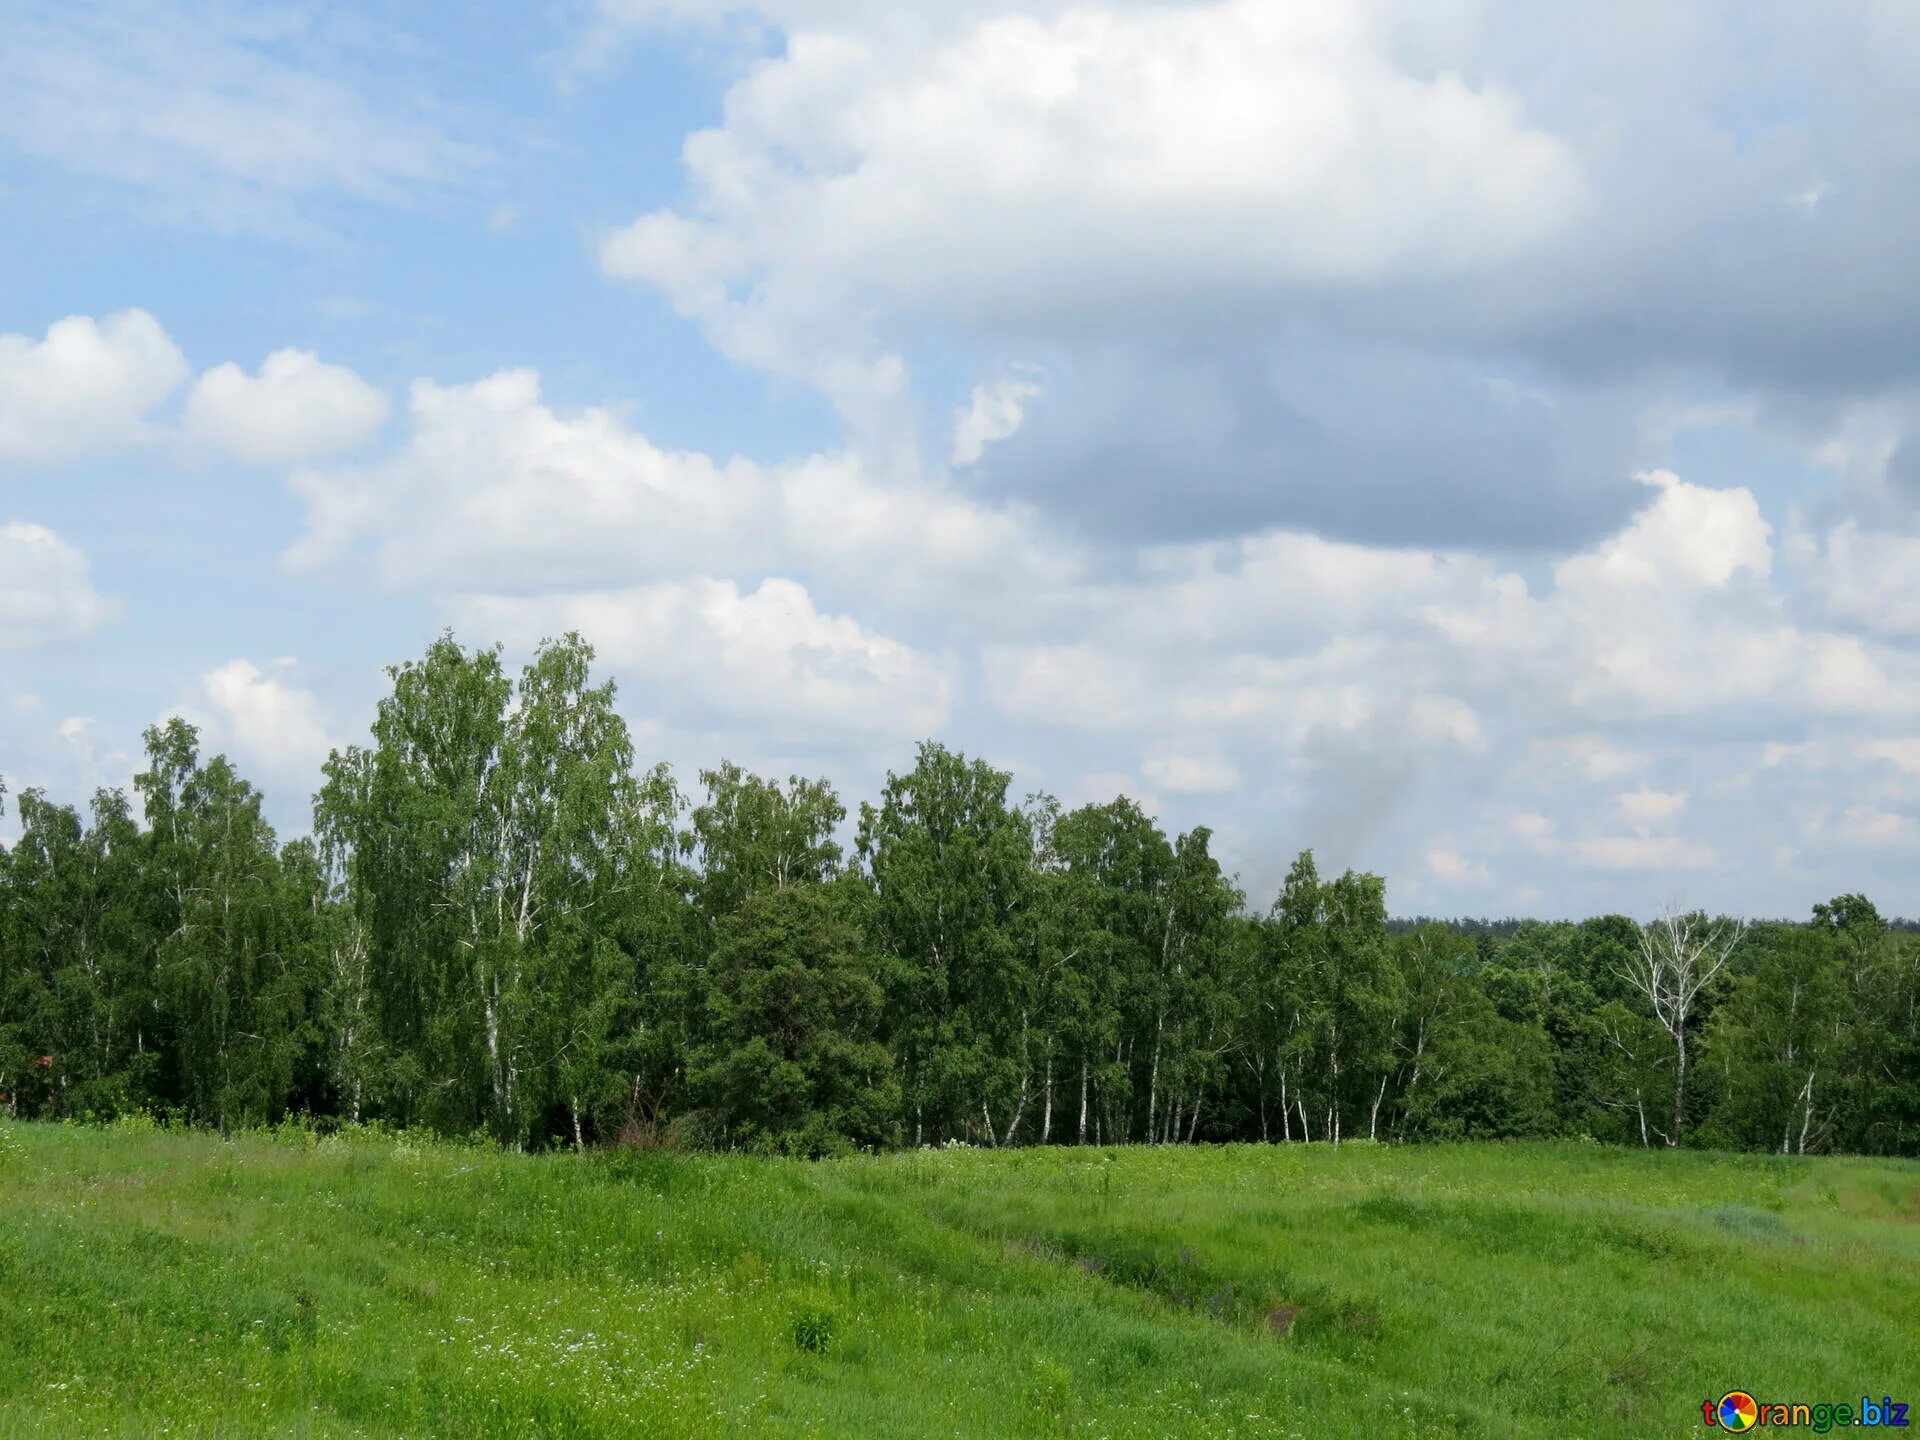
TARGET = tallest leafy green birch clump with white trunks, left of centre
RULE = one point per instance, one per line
(477, 840)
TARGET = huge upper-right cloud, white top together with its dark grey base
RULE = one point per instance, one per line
(1366, 268)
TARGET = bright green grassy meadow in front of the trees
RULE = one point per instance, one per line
(160, 1284)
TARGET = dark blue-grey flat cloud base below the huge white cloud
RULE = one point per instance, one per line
(1372, 444)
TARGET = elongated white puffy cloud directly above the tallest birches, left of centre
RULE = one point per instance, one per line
(494, 481)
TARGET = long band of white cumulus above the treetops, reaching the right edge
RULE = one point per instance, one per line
(836, 600)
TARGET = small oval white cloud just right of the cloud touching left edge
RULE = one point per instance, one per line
(295, 410)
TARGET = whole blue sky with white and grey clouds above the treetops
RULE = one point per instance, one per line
(1477, 441)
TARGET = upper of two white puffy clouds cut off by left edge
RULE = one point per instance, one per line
(85, 389)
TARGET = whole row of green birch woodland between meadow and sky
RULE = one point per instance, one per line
(502, 924)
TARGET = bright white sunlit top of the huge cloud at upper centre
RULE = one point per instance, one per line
(1084, 162)
